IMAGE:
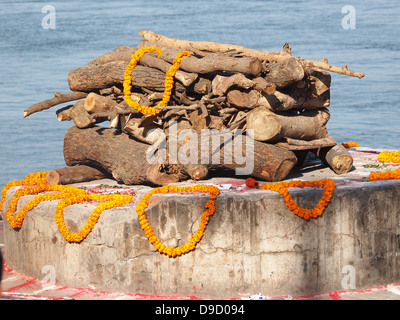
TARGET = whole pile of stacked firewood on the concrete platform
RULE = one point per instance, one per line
(278, 100)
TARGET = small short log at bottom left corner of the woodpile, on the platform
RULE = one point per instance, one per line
(75, 174)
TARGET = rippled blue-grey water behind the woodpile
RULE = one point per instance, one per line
(34, 62)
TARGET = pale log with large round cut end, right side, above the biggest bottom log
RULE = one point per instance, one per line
(271, 127)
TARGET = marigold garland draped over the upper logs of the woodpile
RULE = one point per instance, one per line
(169, 80)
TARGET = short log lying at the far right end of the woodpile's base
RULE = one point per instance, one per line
(338, 158)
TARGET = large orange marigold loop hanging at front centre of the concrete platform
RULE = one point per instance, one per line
(196, 237)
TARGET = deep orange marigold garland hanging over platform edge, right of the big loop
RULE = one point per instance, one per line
(282, 188)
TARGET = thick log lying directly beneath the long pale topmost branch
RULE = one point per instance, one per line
(210, 63)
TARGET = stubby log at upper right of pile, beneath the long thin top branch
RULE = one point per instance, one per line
(284, 73)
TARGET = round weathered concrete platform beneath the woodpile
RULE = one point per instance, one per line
(253, 242)
